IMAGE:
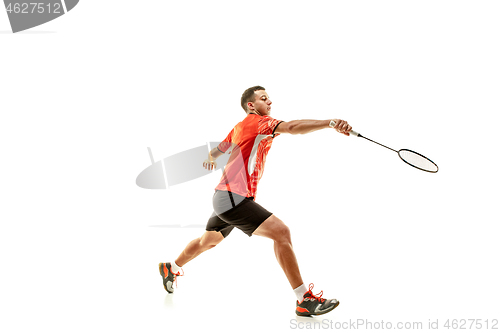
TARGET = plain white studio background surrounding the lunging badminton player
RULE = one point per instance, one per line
(83, 96)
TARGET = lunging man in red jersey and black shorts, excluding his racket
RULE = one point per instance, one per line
(234, 198)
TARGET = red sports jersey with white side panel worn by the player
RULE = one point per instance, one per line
(249, 142)
